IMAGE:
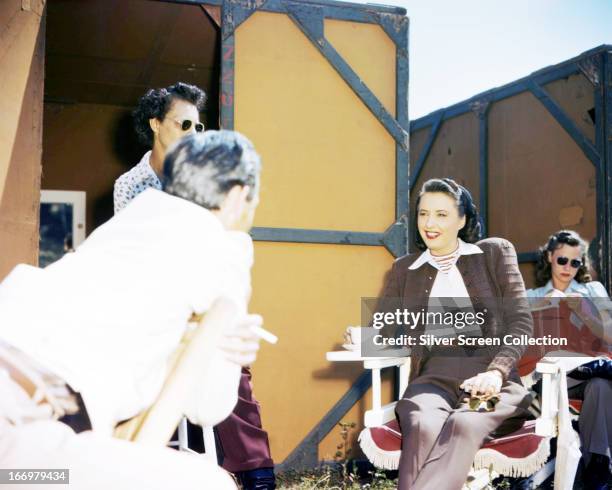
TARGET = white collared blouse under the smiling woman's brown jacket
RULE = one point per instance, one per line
(448, 285)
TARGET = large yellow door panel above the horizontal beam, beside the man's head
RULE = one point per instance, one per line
(328, 162)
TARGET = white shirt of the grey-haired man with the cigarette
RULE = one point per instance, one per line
(107, 317)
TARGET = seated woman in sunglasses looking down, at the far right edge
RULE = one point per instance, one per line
(562, 271)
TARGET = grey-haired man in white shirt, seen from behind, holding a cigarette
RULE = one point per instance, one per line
(92, 334)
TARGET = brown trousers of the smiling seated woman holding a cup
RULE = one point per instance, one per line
(440, 435)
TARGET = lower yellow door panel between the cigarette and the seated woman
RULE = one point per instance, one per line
(308, 294)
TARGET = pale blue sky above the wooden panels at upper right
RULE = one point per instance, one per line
(459, 48)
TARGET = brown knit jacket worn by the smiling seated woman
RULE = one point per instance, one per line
(492, 274)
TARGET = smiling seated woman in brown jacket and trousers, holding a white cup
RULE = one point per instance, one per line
(440, 433)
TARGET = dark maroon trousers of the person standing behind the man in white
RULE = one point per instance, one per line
(243, 441)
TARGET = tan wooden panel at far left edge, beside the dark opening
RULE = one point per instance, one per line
(22, 52)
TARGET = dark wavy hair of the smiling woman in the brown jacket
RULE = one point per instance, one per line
(472, 231)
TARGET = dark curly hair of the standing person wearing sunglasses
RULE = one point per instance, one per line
(157, 102)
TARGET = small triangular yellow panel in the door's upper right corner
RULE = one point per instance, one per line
(356, 42)
